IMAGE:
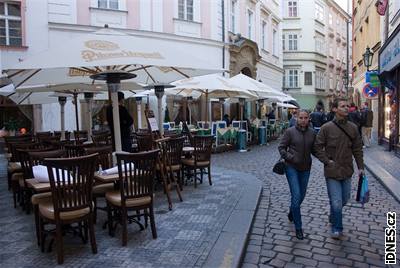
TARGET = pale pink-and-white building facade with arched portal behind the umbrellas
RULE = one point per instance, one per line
(237, 35)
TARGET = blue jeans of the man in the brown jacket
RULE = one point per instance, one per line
(339, 194)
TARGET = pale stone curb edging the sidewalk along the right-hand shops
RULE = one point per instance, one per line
(391, 184)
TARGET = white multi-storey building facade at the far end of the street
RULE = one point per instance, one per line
(314, 50)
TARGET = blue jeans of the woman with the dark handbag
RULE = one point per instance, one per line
(298, 181)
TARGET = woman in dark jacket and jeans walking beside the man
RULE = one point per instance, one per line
(295, 148)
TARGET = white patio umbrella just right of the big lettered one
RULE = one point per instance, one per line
(212, 85)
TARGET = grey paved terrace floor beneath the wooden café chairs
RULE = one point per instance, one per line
(186, 234)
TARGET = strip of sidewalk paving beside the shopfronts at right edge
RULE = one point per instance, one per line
(386, 159)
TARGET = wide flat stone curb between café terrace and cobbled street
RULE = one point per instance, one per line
(230, 246)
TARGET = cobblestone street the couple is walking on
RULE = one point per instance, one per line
(272, 241)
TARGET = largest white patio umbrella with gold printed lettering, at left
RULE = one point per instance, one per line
(108, 50)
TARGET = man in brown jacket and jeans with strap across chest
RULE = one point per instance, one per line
(336, 144)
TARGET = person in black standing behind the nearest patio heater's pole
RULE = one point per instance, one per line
(125, 121)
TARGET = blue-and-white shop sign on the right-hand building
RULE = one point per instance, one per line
(390, 56)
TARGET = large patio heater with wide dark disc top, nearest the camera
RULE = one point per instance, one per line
(113, 79)
